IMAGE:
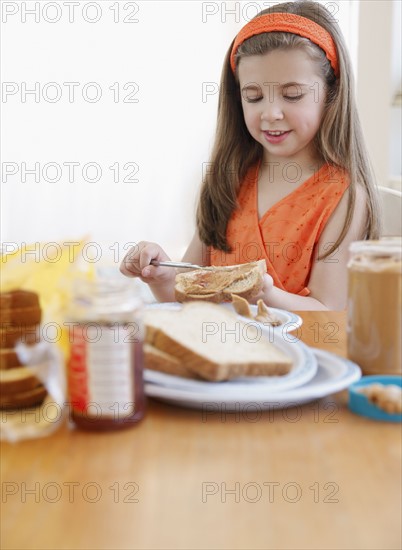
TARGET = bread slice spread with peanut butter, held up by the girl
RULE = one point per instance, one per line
(217, 284)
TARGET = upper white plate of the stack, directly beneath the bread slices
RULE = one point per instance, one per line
(304, 369)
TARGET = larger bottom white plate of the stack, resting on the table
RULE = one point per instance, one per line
(333, 374)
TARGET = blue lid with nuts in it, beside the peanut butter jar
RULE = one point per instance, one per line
(373, 396)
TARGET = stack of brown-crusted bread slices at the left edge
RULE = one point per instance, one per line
(20, 316)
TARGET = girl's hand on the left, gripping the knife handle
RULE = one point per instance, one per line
(136, 263)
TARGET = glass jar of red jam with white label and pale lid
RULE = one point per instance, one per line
(105, 367)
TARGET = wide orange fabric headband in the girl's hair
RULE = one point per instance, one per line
(288, 22)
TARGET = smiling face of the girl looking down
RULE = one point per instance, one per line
(283, 102)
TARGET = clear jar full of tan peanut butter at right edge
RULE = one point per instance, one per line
(374, 305)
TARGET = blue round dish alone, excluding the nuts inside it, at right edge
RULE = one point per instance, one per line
(360, 404)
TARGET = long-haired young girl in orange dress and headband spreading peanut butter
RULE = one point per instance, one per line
(290, 180)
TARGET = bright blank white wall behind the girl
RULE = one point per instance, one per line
(173, 54)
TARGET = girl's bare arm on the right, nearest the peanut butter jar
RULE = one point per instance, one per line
(328, 278)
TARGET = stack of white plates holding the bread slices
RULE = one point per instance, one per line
(315, 374)
